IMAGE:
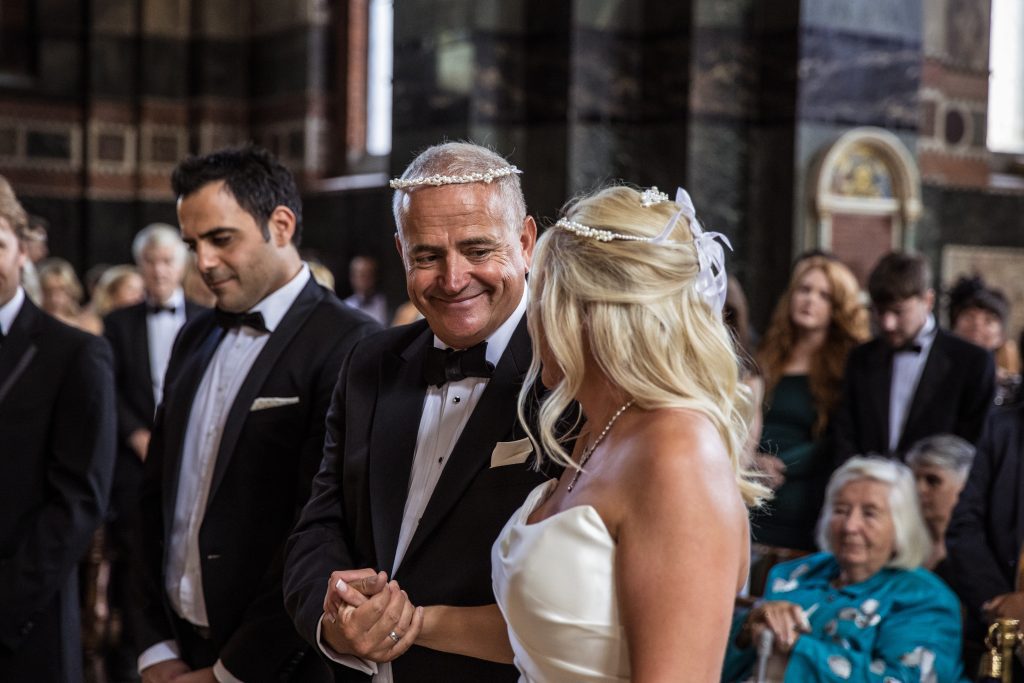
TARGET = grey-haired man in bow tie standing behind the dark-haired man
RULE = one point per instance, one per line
(141, 337)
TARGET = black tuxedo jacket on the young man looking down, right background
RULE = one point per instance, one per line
(954, 396)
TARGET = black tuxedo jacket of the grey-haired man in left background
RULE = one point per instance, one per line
(126, 331)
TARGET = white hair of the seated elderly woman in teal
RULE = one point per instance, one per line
(913, 541)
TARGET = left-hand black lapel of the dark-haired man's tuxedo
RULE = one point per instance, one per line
(177, 413)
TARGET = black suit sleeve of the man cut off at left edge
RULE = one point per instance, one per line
(79, 473)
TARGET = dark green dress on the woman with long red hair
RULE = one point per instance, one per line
(788, 434)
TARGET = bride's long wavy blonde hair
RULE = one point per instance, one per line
(634, 306)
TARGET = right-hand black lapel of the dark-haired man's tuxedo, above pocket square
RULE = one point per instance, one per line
(265, 365)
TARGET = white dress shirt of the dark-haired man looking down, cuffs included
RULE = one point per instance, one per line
(224, 377)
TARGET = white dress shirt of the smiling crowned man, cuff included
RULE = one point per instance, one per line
(446, 411)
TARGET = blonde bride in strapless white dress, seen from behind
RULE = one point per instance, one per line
(627, 567)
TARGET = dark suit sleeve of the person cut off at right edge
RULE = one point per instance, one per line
(975, 567)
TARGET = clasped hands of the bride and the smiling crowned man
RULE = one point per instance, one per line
(369, 617)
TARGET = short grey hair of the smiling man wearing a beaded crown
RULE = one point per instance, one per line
(463, 159)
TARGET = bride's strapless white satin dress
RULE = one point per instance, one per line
(556, 583)
